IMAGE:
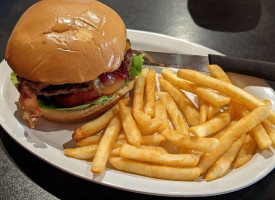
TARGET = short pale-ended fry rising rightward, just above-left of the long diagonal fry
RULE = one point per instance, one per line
(215, 124)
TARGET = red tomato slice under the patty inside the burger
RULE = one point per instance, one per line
(76, 99)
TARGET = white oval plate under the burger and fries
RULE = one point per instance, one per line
(47, 140)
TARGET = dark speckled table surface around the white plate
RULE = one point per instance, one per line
(241, 28)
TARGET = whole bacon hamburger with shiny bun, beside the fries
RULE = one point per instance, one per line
(71, 60)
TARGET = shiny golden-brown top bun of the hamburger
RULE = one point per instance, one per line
(66, 41)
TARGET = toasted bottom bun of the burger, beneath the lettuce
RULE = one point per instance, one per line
(74, 116)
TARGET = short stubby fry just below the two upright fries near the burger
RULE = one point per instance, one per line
(147, 126)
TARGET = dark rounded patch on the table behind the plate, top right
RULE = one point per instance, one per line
(225, 15)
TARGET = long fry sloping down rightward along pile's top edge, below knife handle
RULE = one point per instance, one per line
(232, 91)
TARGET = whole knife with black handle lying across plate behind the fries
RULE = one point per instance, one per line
(256, 68)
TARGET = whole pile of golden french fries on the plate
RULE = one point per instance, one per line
(166, 135)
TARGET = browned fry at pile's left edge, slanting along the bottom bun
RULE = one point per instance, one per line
(97, 124)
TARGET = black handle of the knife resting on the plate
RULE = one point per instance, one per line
(256, 68)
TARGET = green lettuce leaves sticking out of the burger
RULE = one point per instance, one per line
(49, 103)
